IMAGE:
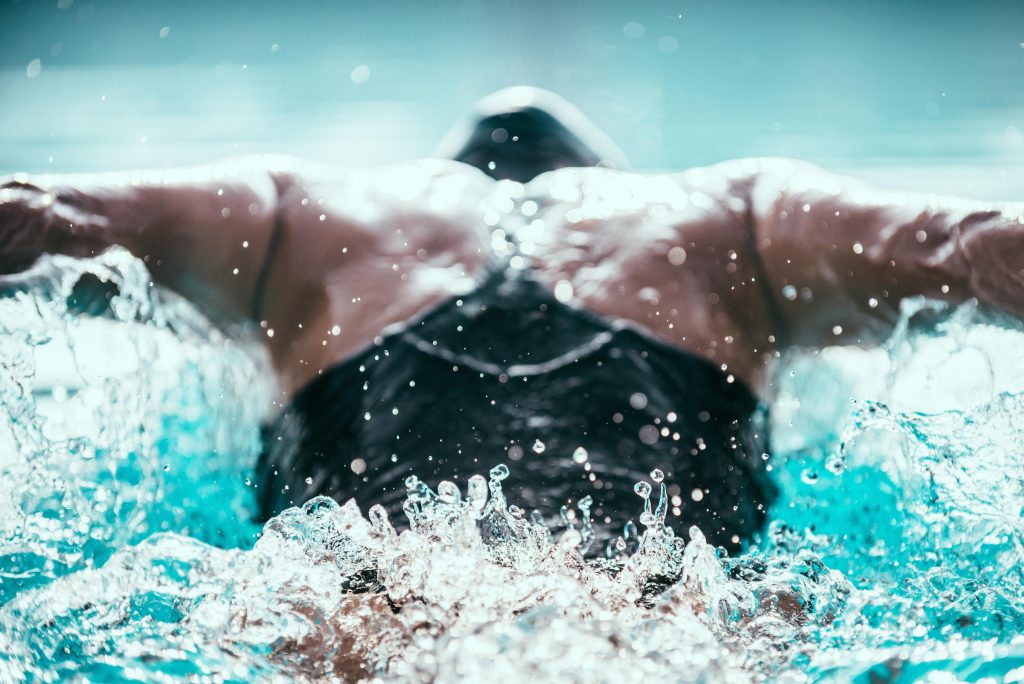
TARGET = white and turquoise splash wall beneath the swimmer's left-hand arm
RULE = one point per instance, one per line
(96, 409)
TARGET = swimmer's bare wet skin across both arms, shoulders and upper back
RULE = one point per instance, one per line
(733, 263)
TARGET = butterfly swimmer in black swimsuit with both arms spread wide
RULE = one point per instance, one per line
(529, 302)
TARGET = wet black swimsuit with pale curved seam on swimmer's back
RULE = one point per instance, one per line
(508, 374)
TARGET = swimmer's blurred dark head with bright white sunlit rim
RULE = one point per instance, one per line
(519, 134)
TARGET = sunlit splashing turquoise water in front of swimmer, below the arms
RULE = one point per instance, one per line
(126, 551)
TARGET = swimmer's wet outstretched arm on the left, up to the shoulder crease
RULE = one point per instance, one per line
(202, 232)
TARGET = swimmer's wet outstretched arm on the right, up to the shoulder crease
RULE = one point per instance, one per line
(840, 255)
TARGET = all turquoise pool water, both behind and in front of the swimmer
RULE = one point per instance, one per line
(127, 446)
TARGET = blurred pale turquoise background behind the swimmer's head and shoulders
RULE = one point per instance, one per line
(923, 96)
